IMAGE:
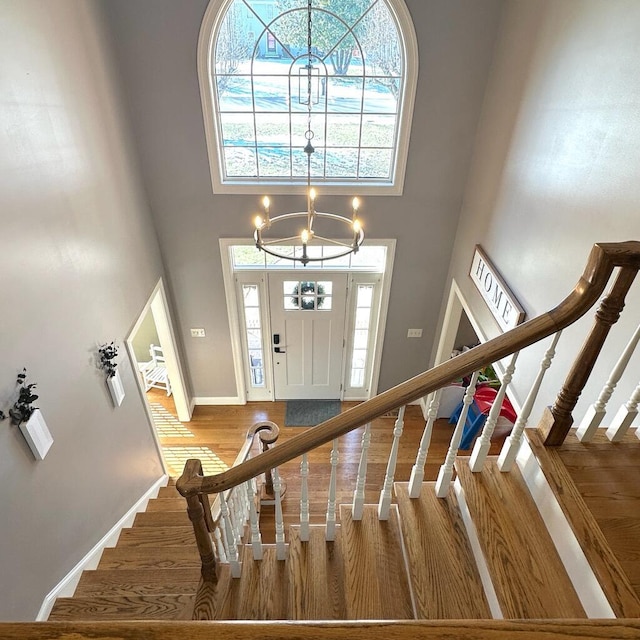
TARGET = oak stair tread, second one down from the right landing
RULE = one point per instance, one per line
(442, 569)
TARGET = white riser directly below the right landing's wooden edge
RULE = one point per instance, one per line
(580, 573)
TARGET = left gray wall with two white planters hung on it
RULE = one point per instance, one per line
(79, 259)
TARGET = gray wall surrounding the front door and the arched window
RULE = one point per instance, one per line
(156, 44)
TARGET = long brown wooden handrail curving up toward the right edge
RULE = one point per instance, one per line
(603, 259)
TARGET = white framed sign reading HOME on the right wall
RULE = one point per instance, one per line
(501, 302)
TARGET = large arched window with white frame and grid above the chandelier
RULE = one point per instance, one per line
(253, 57)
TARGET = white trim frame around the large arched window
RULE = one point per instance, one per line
(208, 30)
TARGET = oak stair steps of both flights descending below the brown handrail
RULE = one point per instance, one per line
(418, 564)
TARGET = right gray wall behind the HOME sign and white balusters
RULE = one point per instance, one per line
(556, 168)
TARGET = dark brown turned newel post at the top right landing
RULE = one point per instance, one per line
(555, 424)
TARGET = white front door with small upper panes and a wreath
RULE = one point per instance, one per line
(307, 325)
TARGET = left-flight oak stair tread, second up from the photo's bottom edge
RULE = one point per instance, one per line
(138, 582)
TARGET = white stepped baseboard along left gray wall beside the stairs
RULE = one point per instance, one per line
(66, 587)
